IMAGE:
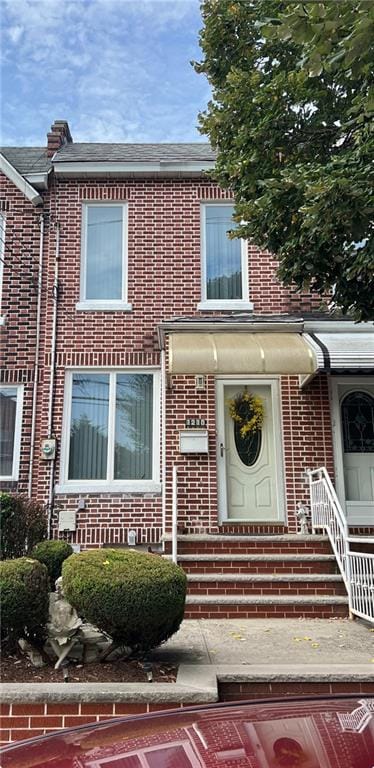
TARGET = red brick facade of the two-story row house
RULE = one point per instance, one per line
(164, 282)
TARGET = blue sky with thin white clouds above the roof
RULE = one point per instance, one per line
(116, 70)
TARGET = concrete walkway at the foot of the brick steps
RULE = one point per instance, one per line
(270, 641)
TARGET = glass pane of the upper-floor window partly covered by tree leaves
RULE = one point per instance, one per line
(223, 256)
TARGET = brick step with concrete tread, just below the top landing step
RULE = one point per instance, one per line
(257, 563)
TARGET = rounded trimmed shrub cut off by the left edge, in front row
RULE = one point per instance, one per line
(24, 600)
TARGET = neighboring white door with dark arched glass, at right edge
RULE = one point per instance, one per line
(354, 447)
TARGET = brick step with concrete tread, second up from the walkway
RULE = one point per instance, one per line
(265, 584)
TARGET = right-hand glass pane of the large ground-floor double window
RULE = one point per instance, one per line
(134, 416)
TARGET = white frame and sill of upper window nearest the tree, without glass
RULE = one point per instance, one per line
(206, 303)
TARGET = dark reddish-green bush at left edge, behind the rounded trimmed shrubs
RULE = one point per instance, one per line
(22, 524)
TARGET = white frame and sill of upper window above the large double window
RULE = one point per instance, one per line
(104, 304)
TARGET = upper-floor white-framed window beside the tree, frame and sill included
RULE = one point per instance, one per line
(224, 261)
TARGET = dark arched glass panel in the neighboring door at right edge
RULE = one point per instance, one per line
(358, 423)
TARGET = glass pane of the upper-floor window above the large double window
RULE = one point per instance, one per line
(104, 252)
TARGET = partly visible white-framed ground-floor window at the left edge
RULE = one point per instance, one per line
(11, 401)
